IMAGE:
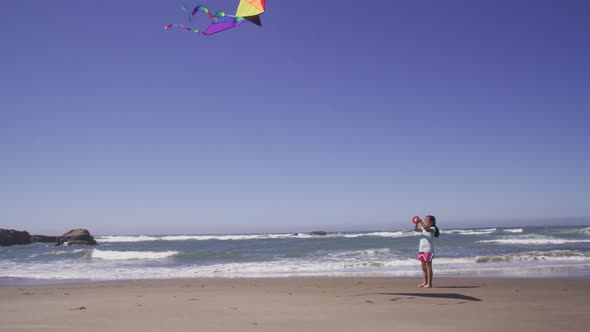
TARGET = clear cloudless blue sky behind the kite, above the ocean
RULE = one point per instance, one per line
(334, 115)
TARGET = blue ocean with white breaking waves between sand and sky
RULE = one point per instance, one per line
(483, 252)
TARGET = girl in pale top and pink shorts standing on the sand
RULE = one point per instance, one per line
(426, 248)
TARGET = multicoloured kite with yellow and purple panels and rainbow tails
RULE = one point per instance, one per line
(248, 10)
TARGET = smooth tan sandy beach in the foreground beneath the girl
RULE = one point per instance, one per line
(300, 304)
